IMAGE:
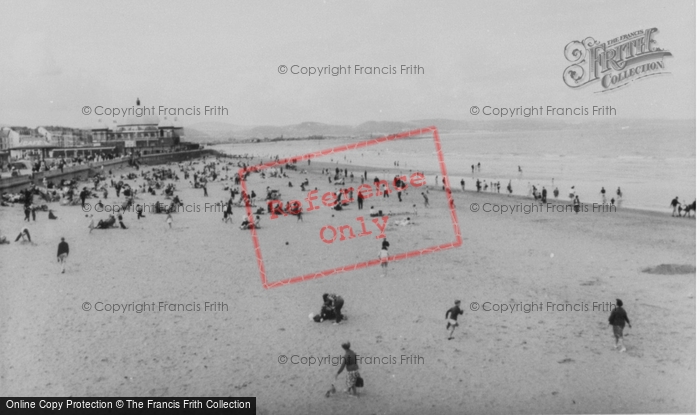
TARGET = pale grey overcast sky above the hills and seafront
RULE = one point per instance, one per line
(57, 57)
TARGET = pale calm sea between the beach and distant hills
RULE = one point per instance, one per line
(650, 163)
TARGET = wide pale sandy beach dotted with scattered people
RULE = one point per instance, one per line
(542, 361)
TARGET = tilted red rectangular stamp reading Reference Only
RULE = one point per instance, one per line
(331, 236)
